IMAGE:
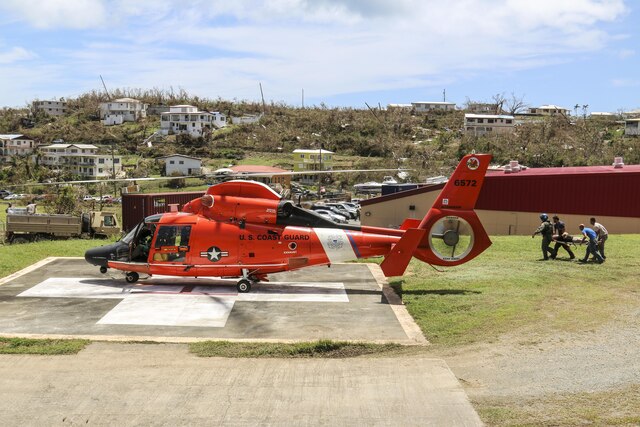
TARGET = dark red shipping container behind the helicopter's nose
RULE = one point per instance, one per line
(137, 206)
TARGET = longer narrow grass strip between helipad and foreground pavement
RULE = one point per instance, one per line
(315, 349)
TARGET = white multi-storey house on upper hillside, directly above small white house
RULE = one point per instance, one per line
(187, 119)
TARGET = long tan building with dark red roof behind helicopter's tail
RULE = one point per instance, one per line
(510, 202)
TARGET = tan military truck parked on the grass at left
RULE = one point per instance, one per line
(22, 227)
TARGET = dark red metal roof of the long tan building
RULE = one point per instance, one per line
(588, 190)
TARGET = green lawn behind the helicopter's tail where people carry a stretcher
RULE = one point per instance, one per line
(507, 288)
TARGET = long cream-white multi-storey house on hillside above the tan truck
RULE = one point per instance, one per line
(80, 159)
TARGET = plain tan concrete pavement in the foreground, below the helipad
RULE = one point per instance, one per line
(164, 385)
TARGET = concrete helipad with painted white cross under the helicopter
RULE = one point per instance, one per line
(68, 297)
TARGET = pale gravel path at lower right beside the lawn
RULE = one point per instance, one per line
(540, 376)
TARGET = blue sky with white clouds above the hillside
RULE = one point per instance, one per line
(341, 53)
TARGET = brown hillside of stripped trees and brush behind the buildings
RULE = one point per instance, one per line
(430, 144)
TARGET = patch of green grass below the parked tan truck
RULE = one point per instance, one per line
(17, 257)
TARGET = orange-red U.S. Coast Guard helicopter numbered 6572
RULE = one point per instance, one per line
(244, 230)
